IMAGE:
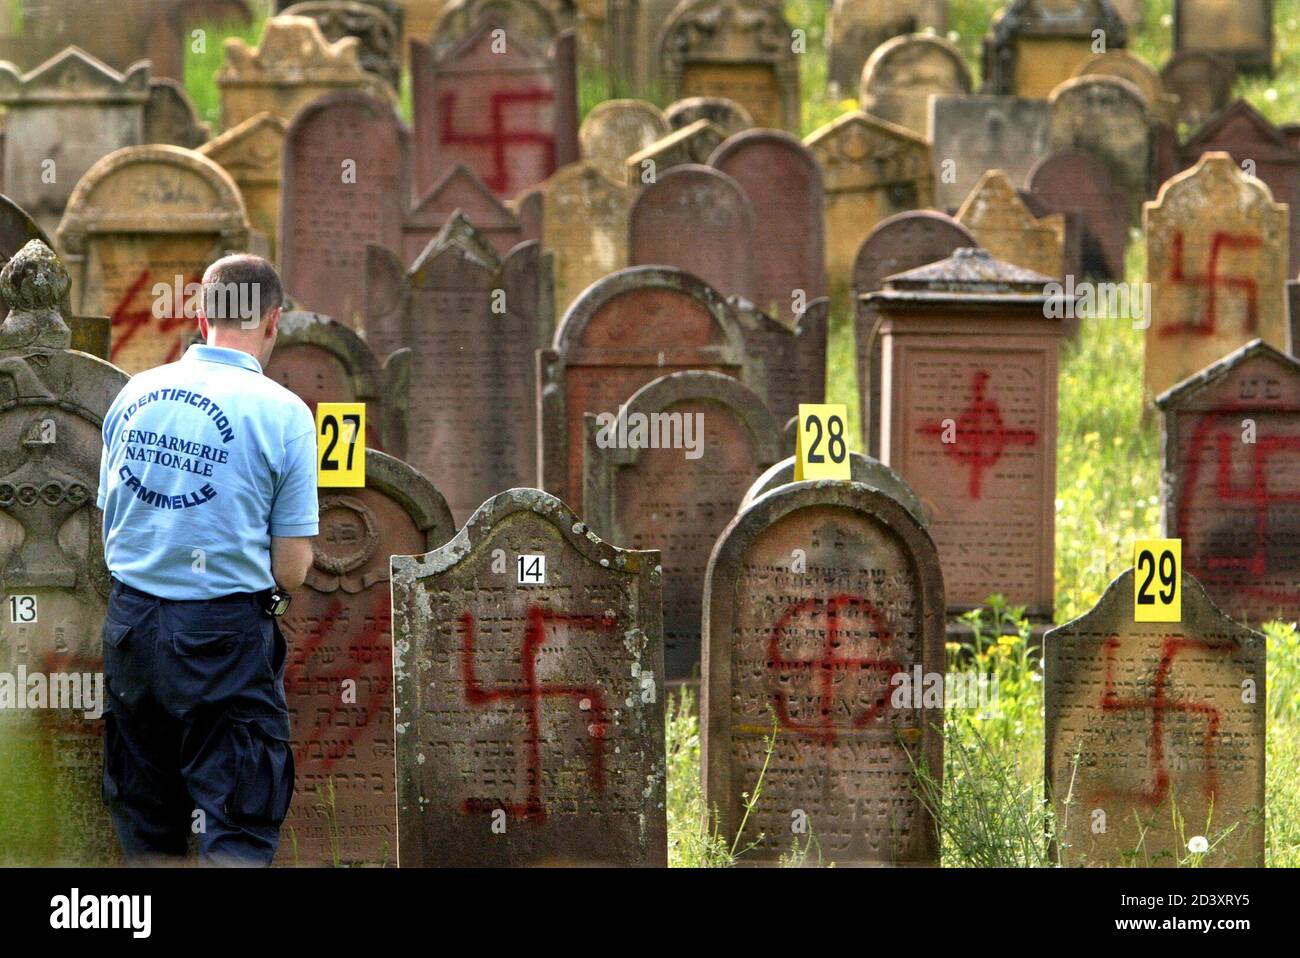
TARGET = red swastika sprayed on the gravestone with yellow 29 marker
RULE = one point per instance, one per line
(1159, 705)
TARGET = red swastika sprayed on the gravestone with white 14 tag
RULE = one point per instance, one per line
(532, 693)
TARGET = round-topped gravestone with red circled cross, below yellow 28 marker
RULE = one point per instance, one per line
(816, 599)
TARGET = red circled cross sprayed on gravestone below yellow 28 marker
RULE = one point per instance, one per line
(829, 666)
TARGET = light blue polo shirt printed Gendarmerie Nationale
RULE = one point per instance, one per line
(205, 461)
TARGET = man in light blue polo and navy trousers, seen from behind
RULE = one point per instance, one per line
(209, 489)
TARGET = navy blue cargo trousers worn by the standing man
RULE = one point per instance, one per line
(197, 729)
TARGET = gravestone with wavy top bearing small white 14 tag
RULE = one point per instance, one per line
(530, 718)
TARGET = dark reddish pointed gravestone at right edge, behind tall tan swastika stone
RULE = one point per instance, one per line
(1258, 148)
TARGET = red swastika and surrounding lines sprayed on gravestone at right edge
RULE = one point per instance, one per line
(1220, 569)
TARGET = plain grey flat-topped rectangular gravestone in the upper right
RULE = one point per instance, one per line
(974, 135)
